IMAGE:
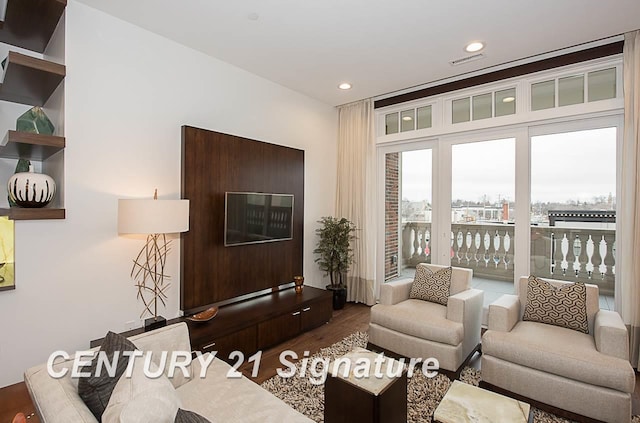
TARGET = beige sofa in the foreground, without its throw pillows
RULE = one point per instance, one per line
(215, 397)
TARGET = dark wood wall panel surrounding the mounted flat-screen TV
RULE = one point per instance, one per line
(212, 164)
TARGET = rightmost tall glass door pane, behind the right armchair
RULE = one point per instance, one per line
(573, 208)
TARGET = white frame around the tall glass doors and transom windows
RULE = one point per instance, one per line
(522, 126)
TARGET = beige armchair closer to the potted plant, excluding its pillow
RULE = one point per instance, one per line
(422, 329)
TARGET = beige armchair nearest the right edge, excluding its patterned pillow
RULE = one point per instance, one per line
(588, 374)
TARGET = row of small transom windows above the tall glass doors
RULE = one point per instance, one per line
(581, 84)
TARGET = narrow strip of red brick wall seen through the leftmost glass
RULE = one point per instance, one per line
(391, 253)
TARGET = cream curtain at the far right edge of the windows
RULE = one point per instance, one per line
(628, 291)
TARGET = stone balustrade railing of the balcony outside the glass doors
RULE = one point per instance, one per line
(584, 255)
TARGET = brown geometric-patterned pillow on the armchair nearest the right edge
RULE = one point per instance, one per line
(565, 306)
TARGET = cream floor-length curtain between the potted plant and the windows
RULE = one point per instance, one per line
(355, 194)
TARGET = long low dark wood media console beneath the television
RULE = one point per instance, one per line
(258, 323)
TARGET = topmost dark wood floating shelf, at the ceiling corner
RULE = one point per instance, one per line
(30, 23)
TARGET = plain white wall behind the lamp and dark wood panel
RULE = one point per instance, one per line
(128, 92)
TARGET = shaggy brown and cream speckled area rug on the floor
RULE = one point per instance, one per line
(424, 394)
